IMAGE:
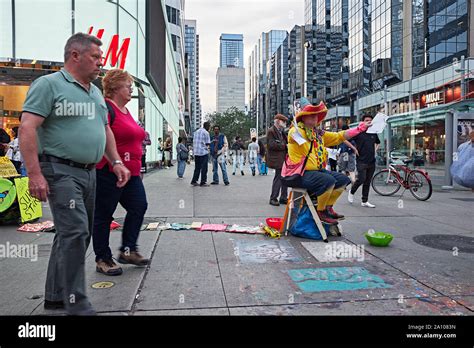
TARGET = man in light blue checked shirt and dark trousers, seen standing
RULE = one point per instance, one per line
(201, 142)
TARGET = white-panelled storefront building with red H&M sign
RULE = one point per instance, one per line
(32, 45)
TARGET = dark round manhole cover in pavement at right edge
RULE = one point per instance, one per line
(446, 242)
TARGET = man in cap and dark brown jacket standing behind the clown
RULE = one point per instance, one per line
(277, 147)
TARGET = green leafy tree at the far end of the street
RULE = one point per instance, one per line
(232, 122)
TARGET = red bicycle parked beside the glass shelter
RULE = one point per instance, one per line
(387, 182)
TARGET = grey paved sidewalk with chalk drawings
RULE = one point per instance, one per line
(216, 273)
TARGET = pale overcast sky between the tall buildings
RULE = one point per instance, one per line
(247, 17)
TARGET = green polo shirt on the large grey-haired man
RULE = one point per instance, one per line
(74, 122)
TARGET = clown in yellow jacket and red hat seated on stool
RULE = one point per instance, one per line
(326, 185)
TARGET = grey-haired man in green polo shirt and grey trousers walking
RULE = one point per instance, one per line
(64, 133)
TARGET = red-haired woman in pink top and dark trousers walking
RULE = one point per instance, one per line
(129, 136)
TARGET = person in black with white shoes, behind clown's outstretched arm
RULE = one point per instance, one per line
(367, 146)
